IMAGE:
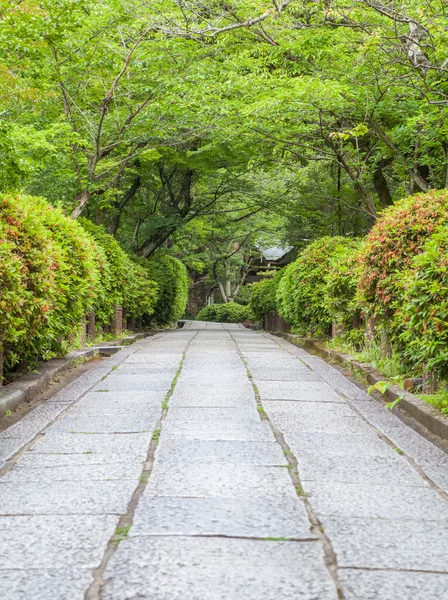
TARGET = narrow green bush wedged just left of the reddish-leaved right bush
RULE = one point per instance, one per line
(341, 281)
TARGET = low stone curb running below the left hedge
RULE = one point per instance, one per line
(26, 387)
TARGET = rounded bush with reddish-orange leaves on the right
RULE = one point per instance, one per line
(398, 236)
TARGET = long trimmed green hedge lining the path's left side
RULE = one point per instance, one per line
(54, 270)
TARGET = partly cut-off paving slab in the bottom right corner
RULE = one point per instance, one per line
(388, 585)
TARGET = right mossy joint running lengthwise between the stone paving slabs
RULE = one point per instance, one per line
(316, 525)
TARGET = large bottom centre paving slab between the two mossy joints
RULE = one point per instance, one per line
(217, 569)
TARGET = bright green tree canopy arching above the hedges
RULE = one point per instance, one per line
(211, 128)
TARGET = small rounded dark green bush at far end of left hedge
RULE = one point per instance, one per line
(171, 277)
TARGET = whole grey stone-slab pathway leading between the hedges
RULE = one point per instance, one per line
(218, 463)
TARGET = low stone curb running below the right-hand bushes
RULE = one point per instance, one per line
(425, 414)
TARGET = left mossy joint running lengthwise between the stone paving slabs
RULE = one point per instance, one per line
(94, 591)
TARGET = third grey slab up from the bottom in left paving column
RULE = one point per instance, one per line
(65, 497)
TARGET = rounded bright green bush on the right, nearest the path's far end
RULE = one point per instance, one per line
(302, 293)
